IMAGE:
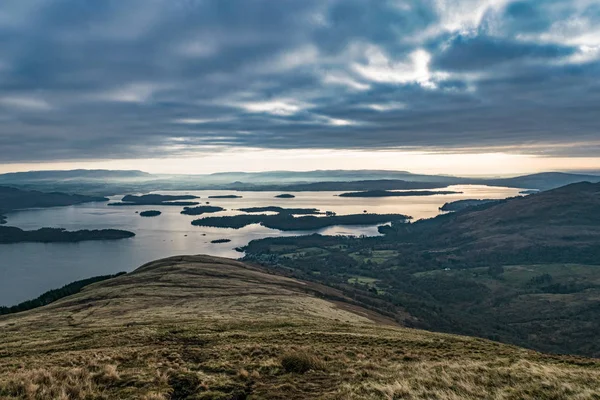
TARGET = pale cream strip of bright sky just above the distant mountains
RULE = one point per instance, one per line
(475, 164)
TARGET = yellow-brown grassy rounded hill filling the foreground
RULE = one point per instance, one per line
(199, 327)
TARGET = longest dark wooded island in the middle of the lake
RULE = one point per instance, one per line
(284, 222)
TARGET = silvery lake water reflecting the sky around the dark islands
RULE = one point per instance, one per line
(28, 269)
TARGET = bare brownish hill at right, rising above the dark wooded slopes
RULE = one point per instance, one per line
(559, 222)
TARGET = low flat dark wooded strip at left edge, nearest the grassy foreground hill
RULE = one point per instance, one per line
(9, 234)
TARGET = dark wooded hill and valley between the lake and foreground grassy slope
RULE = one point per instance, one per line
(524, 271)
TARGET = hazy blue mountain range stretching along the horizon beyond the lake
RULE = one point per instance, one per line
(105, 182)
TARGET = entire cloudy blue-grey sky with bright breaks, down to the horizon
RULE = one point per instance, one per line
(176, 86)
